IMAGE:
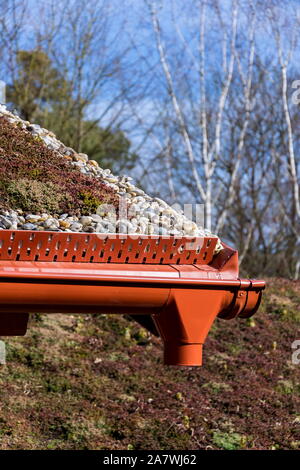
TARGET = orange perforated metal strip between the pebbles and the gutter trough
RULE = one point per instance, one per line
(23, 245)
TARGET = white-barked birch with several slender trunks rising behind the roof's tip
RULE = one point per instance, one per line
(201, 132)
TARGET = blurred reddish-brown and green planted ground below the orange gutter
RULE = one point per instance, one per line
(97, 382)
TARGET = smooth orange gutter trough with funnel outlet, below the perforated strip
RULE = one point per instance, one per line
(182, 299)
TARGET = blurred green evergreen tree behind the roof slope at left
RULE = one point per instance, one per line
(41, 95)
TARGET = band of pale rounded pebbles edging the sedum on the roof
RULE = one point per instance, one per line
(145, 214)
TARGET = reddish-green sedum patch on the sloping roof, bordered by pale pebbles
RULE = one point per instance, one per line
(35, 179)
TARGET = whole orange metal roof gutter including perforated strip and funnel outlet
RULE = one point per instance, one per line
(183, 299)
